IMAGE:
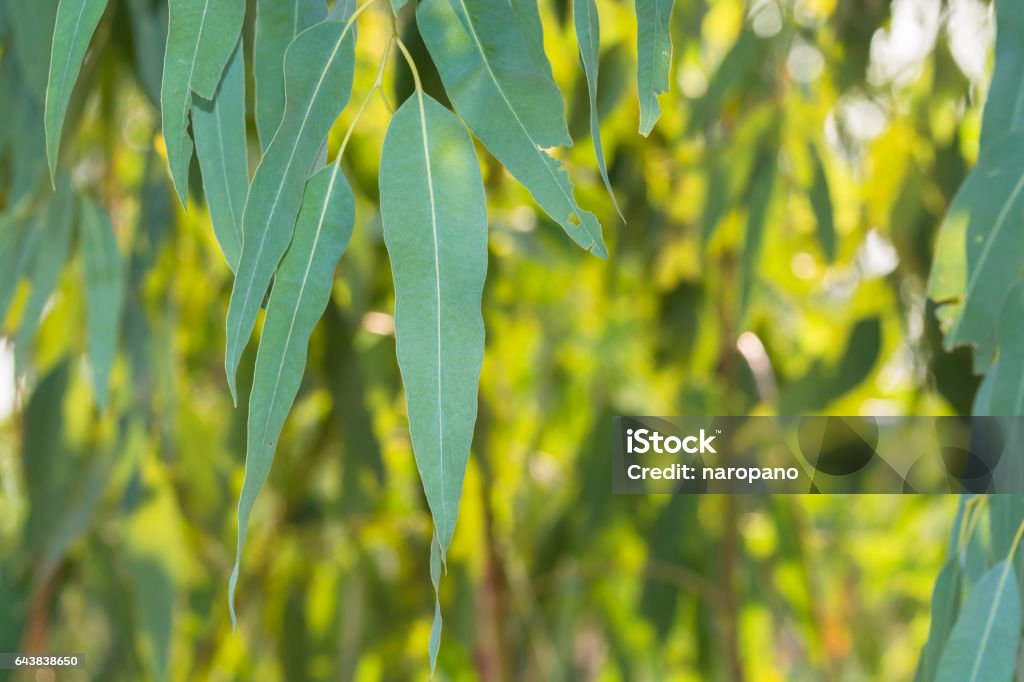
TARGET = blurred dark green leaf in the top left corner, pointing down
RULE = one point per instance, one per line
(32, 35)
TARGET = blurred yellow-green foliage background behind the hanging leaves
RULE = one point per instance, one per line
(779, 233)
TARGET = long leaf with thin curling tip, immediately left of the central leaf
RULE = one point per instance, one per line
(301, 294)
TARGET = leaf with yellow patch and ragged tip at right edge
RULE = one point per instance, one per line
(980, 249)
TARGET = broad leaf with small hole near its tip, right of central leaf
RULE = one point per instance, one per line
(490, 71)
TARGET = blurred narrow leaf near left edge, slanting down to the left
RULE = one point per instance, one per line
(55, 226)
